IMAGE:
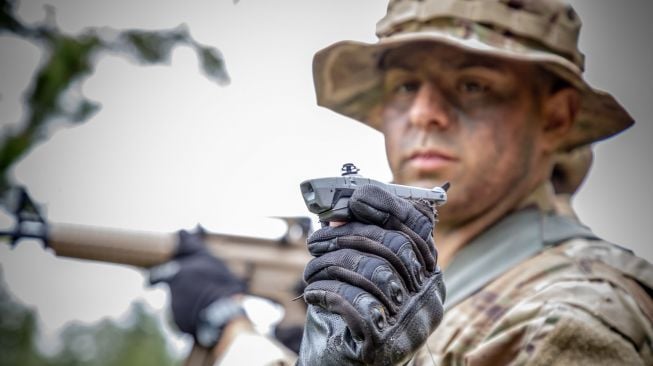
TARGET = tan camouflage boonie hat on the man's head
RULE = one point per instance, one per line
(348, 81)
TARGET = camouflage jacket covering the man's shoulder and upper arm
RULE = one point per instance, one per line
(577, 300)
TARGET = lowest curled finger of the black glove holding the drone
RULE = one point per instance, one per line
(362, 313)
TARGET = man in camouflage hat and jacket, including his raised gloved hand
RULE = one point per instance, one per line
(484, 94)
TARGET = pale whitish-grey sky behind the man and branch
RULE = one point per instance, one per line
(170, 149)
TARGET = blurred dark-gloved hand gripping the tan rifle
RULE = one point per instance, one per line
(198, 281)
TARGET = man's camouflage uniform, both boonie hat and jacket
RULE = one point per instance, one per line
(537, 287)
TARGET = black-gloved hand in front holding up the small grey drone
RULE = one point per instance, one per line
(374, 290)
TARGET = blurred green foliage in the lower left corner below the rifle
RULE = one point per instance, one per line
(139, 341)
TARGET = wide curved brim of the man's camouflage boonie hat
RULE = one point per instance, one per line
(348, 81)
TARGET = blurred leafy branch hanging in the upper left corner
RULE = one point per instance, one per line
(68, 60)
